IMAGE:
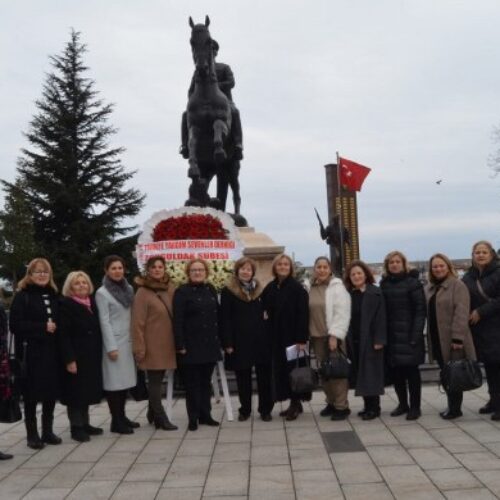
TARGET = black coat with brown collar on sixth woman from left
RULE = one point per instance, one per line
(243, 327)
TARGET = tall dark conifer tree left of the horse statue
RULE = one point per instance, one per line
(73, 182)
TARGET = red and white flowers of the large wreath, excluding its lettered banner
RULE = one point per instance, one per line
(193, 223)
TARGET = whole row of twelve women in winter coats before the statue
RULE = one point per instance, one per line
(77, 348)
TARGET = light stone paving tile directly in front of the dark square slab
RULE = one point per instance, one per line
(355, 468)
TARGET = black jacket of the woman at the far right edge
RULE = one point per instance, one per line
(486, 333)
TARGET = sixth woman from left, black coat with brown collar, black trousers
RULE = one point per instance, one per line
(245, 340)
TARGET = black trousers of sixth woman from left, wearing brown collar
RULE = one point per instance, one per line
(264, 389)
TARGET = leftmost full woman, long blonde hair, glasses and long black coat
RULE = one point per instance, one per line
(34, 321)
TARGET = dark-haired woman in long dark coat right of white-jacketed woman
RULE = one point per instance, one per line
(366, 337)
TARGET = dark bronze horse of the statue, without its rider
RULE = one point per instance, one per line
(209, 116)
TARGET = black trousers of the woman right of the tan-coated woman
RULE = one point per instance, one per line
(198, 384)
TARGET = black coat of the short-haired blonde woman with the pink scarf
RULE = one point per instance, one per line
(81, 341)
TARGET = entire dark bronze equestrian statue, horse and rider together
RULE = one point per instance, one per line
(211, 133)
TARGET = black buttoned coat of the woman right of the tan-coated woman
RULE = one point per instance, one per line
(196, 324)
